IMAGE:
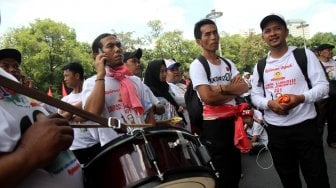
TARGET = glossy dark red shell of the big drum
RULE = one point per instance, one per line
(124, 162)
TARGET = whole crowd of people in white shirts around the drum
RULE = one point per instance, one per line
(40, 149)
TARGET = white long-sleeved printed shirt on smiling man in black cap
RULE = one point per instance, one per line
(283, 76)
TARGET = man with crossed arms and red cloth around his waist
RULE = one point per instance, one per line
(219, 107)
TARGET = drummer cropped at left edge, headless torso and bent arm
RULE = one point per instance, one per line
(33, 148)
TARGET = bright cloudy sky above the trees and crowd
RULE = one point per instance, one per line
(90, 18)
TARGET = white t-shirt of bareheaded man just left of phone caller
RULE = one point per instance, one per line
(83, 137)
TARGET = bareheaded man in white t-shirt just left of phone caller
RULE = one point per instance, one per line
(85, 146)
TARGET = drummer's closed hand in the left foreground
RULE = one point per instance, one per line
(44, 140)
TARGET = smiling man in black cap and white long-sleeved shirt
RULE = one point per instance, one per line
(294, 141)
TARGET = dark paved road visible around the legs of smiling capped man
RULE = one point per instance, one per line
(256, 177)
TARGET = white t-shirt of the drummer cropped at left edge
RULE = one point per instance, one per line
(17, 112)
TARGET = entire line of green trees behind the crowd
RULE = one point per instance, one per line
(47, 45)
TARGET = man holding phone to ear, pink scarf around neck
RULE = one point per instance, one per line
(114, 91)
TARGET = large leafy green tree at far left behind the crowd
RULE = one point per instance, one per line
(46, 46)
